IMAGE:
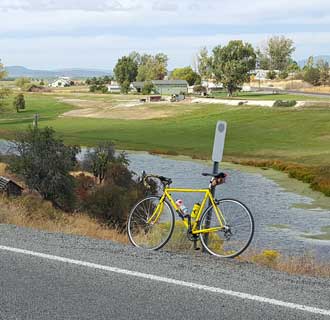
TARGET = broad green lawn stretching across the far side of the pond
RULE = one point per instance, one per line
(271, 133)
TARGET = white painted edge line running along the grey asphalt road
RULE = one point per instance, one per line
(192, 285)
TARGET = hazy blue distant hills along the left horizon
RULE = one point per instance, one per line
(19, 71)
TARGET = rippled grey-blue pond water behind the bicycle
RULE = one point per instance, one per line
(282, 223)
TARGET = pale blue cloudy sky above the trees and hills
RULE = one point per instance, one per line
(52, 34)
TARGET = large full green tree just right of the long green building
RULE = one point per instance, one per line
(232, 64)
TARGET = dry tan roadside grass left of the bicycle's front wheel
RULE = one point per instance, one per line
(32, 212)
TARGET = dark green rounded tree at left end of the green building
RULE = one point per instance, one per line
(125, 72)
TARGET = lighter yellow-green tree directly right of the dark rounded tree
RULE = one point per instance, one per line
(151, 67)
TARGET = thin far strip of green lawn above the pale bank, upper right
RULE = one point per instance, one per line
(269, 96)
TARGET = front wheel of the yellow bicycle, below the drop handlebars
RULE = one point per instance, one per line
(150, 223)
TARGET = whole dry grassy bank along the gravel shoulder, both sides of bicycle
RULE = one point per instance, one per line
(32, 212)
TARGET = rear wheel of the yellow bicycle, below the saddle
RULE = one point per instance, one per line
(230, 237)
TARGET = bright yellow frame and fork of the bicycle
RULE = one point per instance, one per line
(194, 225)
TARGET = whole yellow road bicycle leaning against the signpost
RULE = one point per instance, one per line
(225, 227)
